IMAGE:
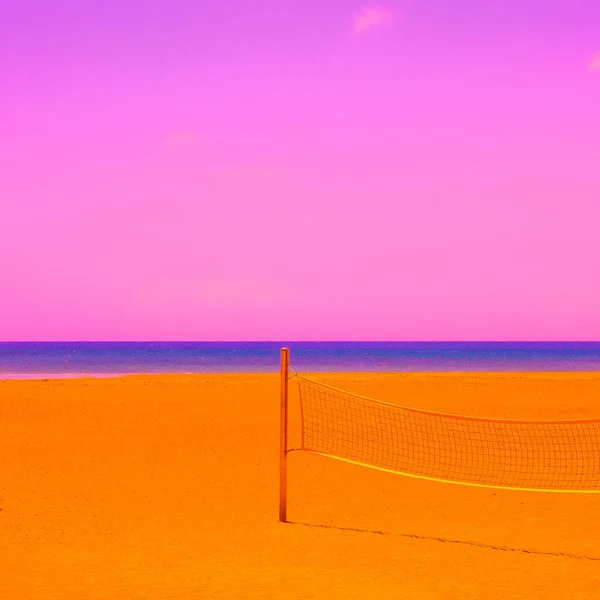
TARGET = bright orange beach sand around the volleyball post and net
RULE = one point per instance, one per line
(166, 487)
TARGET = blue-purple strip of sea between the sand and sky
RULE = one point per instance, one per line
(68, 359)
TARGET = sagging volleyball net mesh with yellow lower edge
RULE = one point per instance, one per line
(534, 455)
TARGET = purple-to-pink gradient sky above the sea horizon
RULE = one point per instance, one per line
(235, 170)
